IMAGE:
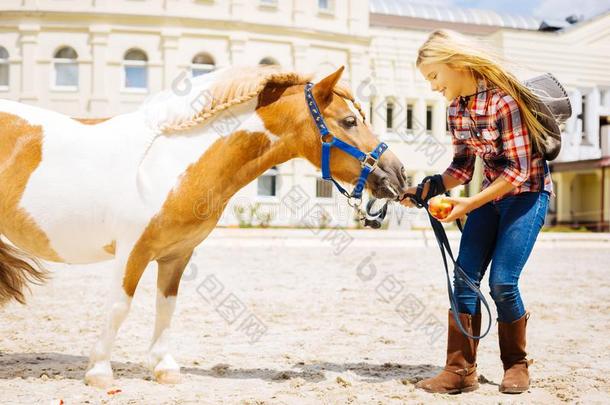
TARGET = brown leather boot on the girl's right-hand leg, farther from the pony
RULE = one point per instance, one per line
(512, 352)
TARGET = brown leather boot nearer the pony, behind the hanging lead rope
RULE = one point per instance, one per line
(460, 372)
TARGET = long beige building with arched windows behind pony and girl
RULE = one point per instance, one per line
(98, 58)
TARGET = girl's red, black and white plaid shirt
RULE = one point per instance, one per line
(493, 130)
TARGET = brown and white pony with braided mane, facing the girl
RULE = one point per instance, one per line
(133, 188)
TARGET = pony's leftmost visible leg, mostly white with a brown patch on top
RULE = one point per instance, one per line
(129, 267)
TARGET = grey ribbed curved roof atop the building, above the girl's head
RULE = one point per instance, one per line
(415, 9)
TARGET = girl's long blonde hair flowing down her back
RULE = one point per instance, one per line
(459, 51)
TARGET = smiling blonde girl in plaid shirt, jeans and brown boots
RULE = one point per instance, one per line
(491, 115)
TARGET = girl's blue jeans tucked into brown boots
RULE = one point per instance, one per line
(502, 233)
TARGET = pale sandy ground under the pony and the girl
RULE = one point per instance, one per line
(361, 326)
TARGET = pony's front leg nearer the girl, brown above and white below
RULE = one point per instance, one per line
(161, 362)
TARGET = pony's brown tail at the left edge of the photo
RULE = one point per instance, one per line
(17, 270)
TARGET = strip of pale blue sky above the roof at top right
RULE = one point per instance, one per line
(543, 9)
